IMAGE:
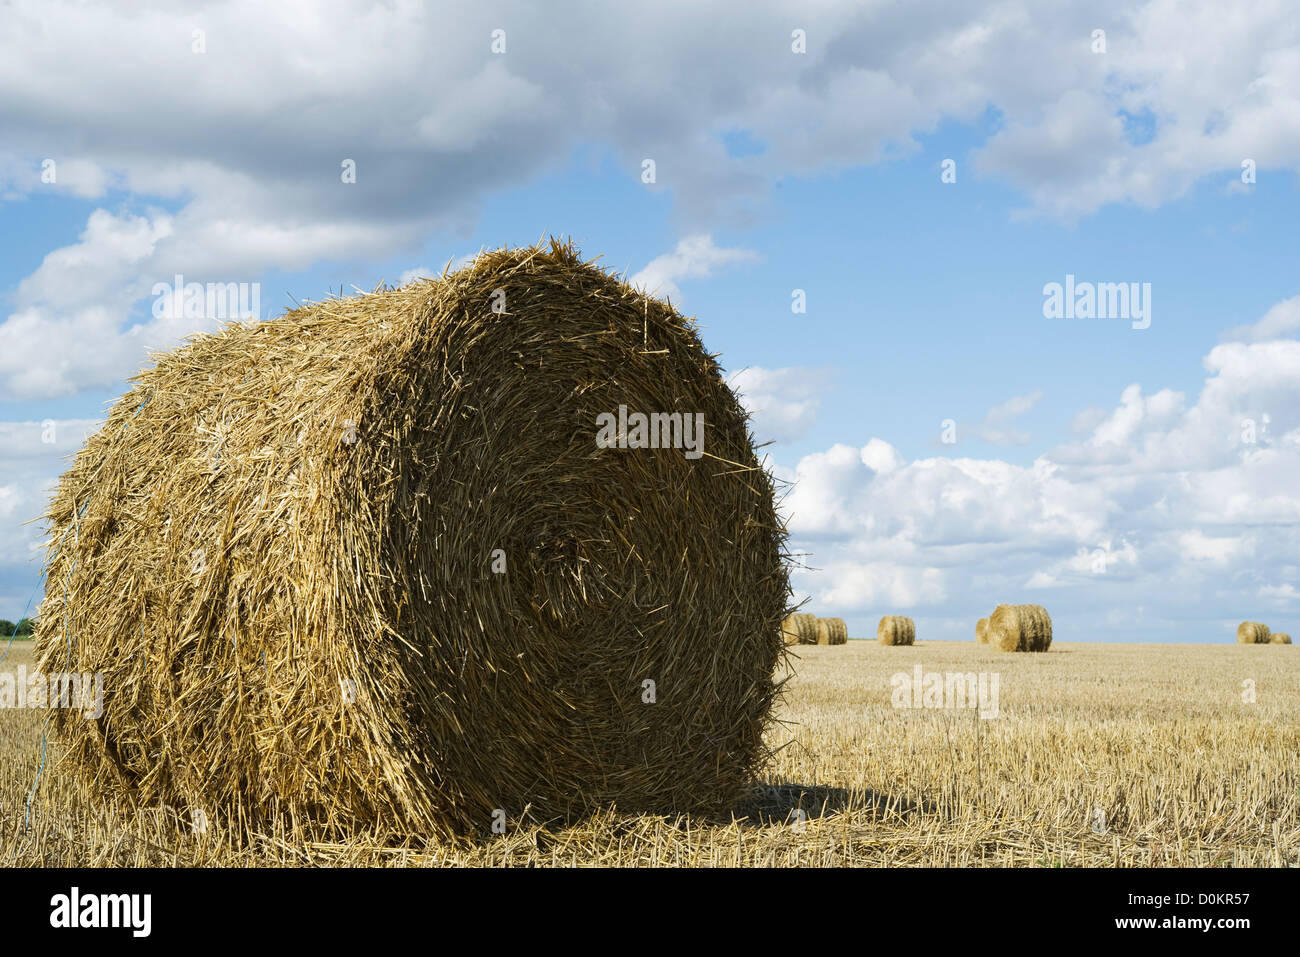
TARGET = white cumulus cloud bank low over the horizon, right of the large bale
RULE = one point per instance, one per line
(1171, 516)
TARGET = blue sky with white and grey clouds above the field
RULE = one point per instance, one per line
(916, 175)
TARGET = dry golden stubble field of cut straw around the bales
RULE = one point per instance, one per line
(1159, 738)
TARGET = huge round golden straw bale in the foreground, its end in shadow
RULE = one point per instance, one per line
(423, 560)
